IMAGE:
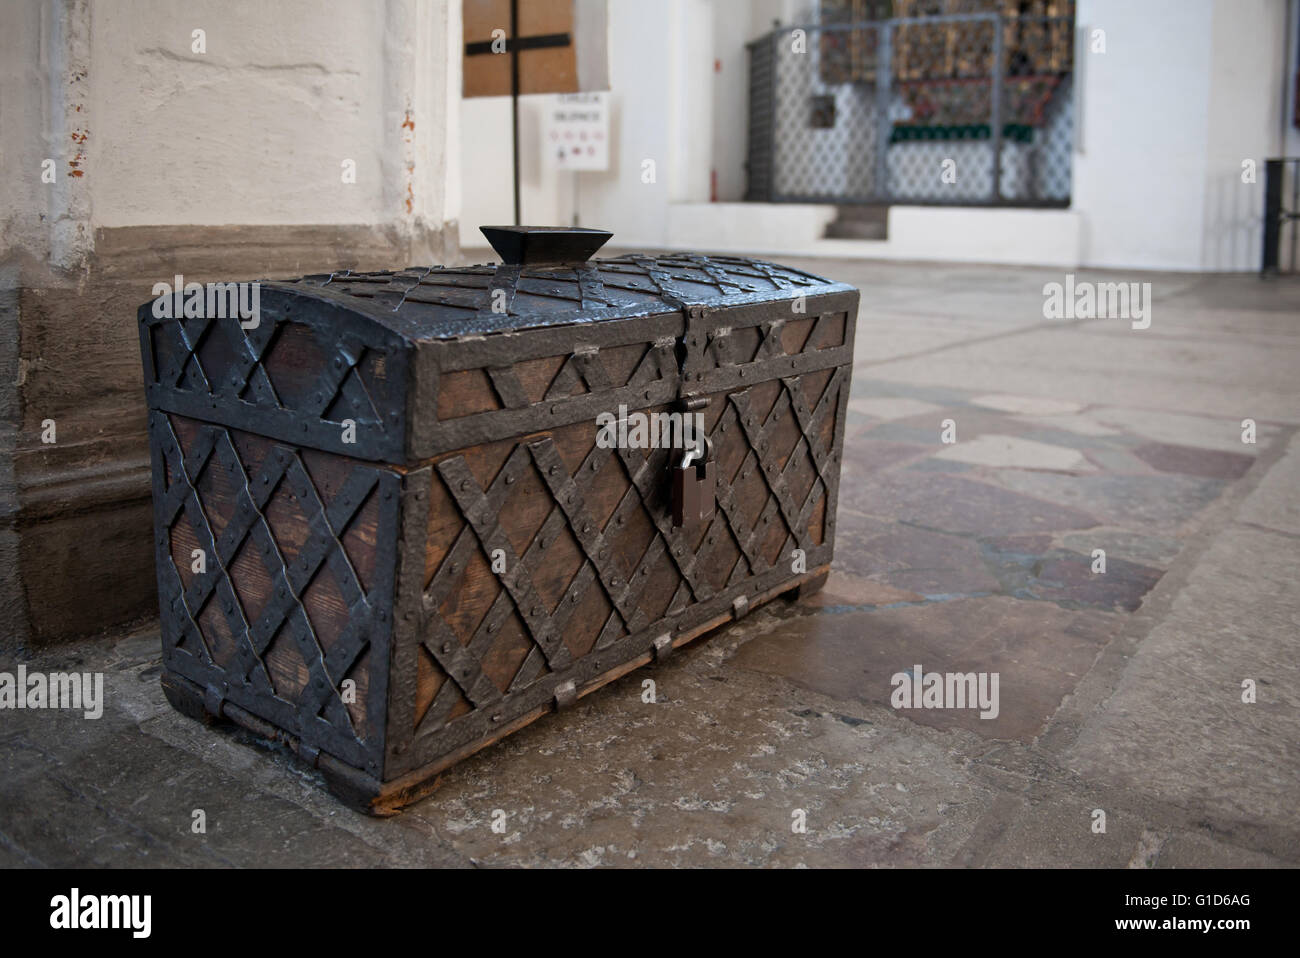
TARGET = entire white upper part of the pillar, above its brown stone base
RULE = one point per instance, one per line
(146, 131)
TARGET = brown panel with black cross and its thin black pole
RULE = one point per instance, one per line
(536, 57)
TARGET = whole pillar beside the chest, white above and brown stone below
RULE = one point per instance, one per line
(140, 150)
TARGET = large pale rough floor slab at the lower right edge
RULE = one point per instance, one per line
(1177, 726)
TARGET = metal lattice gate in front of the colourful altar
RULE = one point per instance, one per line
(965, 110)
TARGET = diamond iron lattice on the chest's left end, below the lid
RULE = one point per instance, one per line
(242, 523)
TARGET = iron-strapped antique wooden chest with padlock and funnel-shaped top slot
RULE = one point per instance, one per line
(404, 514)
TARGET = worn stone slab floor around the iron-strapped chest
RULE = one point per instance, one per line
(1120, 691)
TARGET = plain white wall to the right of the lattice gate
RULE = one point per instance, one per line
(1185, 93)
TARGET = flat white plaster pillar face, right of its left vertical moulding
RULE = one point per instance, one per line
(255, 129)
